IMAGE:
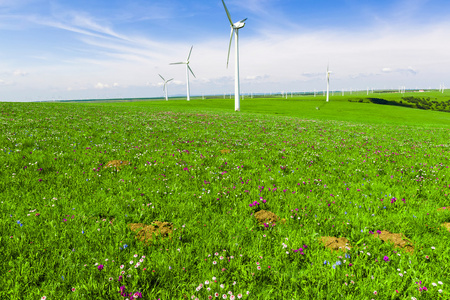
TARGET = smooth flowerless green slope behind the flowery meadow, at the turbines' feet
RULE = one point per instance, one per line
(306, 107)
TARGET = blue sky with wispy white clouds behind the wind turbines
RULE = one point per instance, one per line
(101, 49)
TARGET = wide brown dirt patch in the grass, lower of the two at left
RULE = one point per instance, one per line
(146, 233)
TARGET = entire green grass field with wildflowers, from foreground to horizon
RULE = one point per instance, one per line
(287, 199)
